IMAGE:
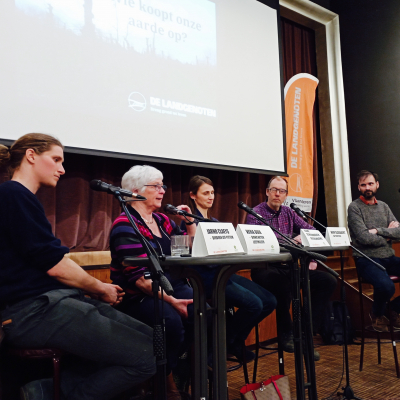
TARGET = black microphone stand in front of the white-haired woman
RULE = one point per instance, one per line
(158, 281)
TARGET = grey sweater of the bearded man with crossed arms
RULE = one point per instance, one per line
(362, 218)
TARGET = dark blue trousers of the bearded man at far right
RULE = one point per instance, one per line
(383, 286)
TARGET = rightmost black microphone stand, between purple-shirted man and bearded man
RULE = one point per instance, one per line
(348, 392)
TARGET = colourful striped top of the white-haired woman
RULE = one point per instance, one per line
(124, 242)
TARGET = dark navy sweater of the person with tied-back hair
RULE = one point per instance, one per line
(28, 248)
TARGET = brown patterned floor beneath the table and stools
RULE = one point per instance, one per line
(375, 382)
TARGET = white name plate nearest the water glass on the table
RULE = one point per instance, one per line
(213, 238)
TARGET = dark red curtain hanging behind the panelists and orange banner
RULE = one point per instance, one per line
(82, 218)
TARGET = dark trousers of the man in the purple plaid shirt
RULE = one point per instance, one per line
(277, 280)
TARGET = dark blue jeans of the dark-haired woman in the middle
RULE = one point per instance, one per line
(254, 303)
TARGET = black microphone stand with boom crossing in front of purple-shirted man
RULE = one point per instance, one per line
(299, 253)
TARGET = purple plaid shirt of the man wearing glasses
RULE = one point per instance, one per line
(285, 220)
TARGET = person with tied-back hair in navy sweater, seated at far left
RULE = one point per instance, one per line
(42, 302)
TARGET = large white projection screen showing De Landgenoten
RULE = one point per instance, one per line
(194, 82)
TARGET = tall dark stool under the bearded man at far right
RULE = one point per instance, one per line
(395, 279)
